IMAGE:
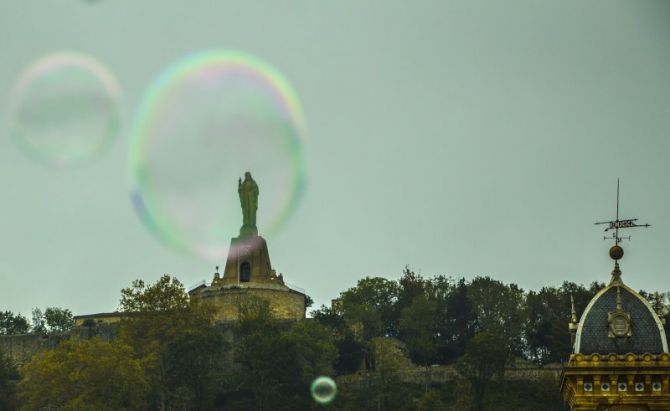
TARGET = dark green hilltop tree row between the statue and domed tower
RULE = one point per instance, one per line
(437, 317)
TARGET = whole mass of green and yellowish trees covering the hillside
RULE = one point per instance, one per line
(169, 354)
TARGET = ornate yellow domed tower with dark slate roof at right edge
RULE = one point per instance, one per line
(620, 359)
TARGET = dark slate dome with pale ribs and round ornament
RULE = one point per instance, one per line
(619, 320)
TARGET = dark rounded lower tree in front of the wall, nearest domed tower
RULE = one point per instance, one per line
(485, 357)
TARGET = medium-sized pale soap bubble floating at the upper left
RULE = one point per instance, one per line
(65, 109)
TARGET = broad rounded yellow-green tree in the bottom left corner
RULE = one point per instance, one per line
(85, 375)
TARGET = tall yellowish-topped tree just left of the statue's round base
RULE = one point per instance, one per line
(161, 325)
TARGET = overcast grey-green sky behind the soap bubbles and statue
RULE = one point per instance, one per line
(462, 138)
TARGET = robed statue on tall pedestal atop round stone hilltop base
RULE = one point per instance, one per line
(248, 272)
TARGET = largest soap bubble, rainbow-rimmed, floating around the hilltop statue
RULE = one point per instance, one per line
(203, 123)
